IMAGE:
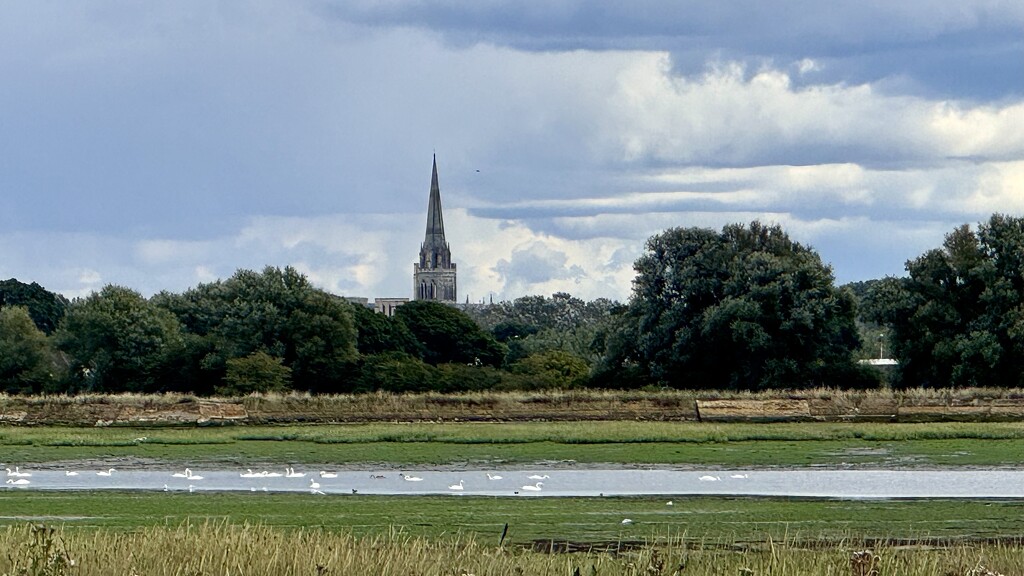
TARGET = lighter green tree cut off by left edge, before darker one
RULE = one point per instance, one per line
(27, 363)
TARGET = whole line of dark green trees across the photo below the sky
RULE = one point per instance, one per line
(745, 308)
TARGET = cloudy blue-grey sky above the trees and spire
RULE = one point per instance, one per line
(162, 145)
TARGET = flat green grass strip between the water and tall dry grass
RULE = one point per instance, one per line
(591, 520)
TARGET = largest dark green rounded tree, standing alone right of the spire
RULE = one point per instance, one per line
(745, 309)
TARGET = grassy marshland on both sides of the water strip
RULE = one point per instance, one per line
(209, 533)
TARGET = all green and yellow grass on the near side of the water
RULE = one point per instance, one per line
(456, 541)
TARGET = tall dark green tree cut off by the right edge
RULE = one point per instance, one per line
(958, 319)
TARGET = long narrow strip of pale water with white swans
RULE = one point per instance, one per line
(791, 483)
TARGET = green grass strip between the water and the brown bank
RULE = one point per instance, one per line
(737, 445)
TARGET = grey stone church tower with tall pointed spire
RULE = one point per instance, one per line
(434, 276)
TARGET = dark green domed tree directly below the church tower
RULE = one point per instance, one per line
(447, 335)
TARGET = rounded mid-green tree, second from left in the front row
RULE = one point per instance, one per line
(119, 342)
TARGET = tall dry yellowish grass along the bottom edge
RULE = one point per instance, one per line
(258, 550)
